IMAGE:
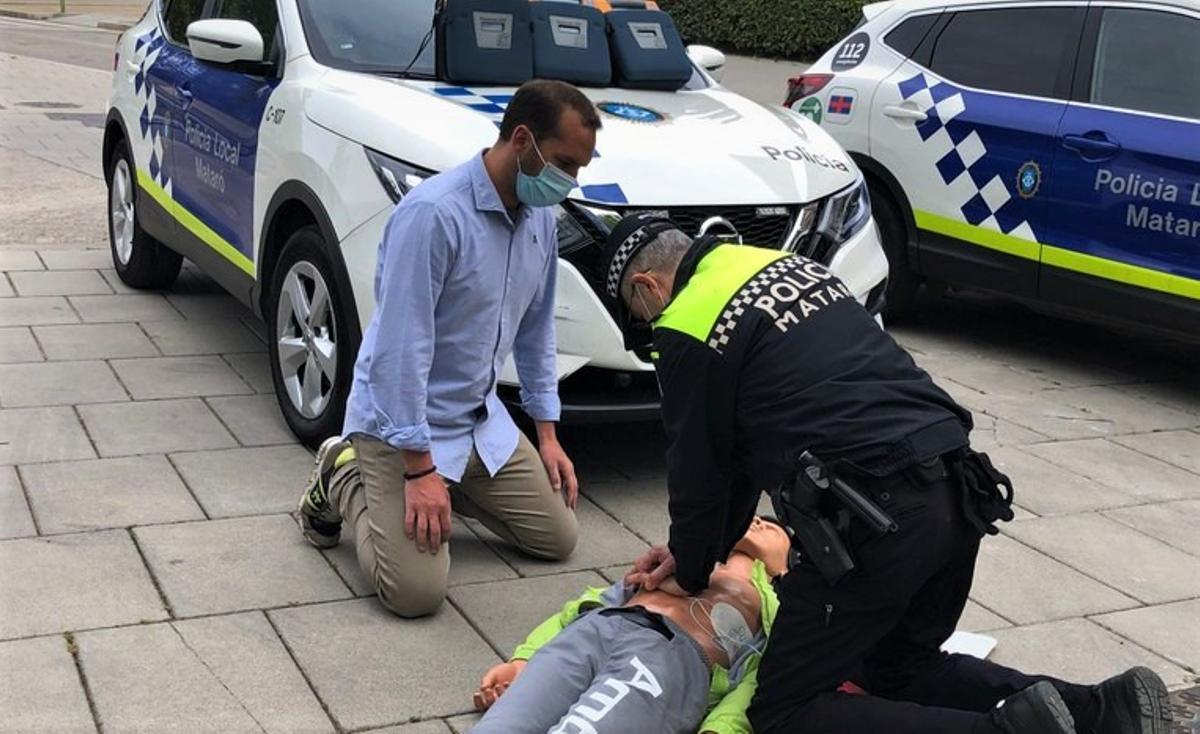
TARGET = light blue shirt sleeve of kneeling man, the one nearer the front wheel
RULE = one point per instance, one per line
(418, 254)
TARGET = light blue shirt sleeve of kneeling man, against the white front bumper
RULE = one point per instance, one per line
(536, 348)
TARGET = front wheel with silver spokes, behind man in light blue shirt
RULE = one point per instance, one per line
(313, 341)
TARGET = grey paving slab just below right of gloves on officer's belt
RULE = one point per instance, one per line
(1137, 564)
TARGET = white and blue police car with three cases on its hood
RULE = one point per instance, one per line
(269, 142)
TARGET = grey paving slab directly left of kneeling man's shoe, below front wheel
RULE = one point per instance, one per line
(247, 482)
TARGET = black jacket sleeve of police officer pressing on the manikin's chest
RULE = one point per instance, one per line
(699, 400)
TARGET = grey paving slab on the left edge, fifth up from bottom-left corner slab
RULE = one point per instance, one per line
(35, 384)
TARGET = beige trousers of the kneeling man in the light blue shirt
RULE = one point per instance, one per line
(518, 504)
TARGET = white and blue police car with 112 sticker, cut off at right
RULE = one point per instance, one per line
(1048, 151)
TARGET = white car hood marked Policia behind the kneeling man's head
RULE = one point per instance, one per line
(657, 149)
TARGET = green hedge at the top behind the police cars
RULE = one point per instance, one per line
(794, 29)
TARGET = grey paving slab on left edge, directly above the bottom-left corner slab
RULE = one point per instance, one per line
(89, 580)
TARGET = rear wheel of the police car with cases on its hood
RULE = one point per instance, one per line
(140, 261)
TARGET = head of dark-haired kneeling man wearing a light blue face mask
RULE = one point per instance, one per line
(548, 135)
